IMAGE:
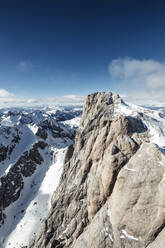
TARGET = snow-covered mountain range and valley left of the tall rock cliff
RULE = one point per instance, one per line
(32, 148)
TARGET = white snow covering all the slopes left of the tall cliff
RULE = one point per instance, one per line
(25, 215)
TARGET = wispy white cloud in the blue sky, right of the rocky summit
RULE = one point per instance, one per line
(143, 80)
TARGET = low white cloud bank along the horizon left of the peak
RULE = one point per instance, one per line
(9, 100)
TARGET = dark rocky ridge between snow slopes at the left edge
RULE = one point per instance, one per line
(12, 183)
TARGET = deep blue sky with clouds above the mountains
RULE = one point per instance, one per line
(66, 49)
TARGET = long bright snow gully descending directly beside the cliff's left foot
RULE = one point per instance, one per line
(29, 222)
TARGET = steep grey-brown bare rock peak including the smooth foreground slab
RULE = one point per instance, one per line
(111, 193)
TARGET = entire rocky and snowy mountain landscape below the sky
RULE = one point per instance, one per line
(106, 182)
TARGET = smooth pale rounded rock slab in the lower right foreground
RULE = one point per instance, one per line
(134, 214)
